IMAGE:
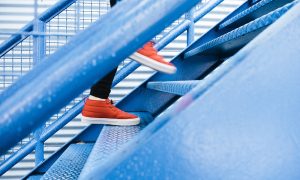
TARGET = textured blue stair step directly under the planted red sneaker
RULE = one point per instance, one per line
(111, 139)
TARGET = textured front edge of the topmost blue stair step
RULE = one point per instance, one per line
(269, 5)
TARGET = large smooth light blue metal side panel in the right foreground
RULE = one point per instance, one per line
(244, 126)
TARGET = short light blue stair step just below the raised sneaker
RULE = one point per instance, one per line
(174, 87)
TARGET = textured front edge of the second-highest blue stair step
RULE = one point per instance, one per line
(243, 30)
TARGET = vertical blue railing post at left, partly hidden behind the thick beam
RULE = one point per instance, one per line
(39, 49)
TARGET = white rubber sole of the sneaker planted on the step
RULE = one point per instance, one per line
(107, 121)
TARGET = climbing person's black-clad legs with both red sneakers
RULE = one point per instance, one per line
(98, 109)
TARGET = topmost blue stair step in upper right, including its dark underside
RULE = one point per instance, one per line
(259, 9)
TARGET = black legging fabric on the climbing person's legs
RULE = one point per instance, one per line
(103, 87)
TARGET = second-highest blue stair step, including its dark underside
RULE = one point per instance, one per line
(236, 39)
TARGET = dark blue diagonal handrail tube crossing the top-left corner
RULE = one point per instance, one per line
(45, 17)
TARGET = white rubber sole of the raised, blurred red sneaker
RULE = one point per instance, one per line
(153, 64)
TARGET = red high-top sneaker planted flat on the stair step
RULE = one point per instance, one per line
(104, 112)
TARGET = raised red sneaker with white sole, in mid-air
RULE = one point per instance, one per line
(148, 56)
